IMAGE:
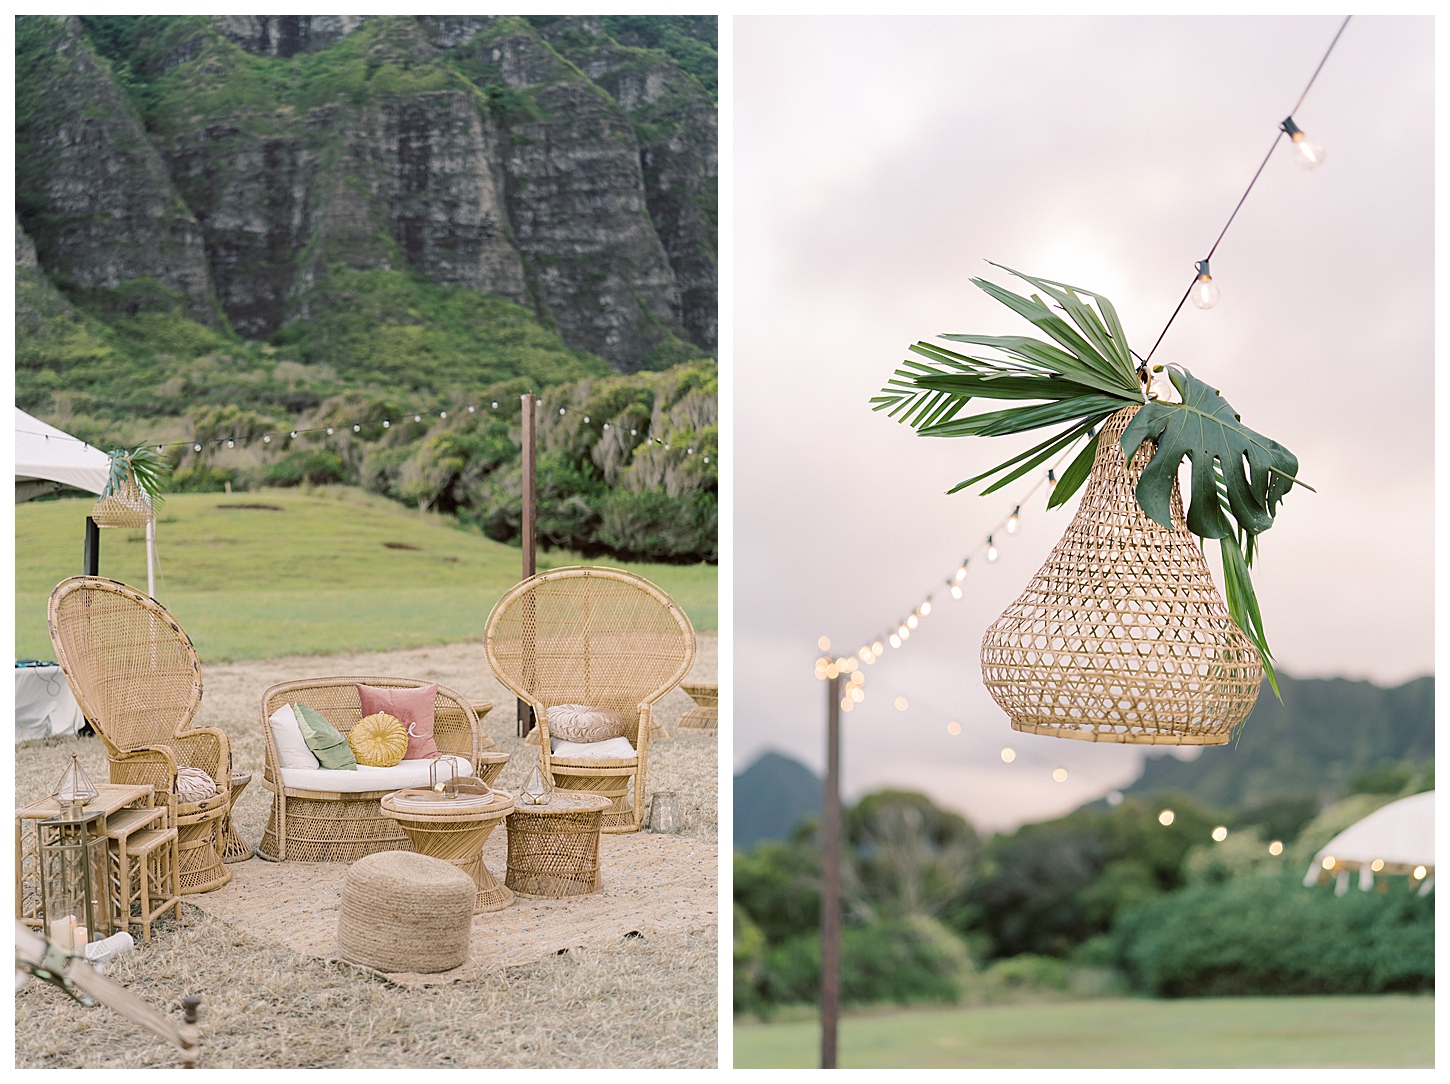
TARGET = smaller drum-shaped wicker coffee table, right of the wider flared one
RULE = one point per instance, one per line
(555, 849)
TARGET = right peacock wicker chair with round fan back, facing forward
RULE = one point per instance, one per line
(597, 637)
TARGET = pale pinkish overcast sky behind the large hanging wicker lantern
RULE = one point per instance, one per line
(879, 163)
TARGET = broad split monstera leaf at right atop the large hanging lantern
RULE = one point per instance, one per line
(1206, 430)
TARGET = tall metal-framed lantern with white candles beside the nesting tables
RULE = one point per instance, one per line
(75, 877)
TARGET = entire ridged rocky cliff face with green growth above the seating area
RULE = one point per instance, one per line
(471, 150)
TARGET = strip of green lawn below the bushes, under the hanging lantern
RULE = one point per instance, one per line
(1233, 1033)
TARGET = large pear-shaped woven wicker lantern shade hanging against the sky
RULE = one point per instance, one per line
(1123, 637)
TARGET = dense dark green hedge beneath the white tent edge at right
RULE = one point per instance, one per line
(1271, 935)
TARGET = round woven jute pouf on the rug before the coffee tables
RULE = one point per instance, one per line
(405, 912)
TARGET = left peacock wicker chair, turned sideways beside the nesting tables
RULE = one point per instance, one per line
(137, 679)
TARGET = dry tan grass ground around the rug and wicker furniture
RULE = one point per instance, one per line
(646, 1002)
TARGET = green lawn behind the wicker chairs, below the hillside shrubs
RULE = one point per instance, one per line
(311, 578)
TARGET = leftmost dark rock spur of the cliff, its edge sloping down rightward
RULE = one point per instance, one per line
(91, 188)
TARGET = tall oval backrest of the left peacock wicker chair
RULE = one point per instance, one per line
(130, 664)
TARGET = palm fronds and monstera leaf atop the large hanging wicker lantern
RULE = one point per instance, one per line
(1078, 380)
